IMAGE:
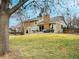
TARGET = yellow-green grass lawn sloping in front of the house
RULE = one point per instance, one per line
(46, 46)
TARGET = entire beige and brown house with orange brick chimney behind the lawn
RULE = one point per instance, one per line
(38, 24)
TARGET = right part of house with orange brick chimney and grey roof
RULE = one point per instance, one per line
(55, 23)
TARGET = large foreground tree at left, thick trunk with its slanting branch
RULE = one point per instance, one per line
(5, 13)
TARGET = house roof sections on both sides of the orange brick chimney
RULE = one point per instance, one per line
(53, 20)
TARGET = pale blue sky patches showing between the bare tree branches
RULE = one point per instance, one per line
(73, 6)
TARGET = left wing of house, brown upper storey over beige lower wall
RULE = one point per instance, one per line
(29, 26)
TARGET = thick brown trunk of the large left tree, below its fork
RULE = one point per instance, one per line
(4, 36)
